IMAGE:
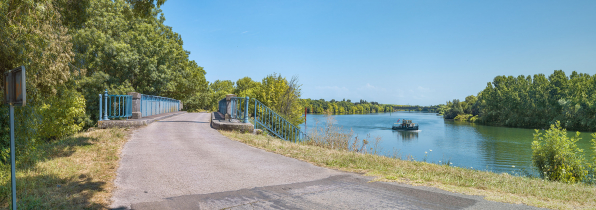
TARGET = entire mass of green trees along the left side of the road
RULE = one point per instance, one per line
(74, 50)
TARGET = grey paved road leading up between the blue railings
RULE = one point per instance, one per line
(181, 163)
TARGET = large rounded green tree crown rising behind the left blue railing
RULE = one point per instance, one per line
(138, 50)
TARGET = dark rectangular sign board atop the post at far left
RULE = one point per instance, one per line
(15, 91)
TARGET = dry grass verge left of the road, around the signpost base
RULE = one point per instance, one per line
(72, 173)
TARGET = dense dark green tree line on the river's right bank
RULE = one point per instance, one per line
(531, 102)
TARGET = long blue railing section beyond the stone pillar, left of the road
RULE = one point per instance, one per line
(152, 105)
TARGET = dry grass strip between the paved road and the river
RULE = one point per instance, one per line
(495, 187)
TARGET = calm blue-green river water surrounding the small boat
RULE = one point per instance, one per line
(462, 144)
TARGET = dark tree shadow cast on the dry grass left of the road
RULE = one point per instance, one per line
(42, 190)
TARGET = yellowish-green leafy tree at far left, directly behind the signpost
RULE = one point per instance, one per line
(34, 36)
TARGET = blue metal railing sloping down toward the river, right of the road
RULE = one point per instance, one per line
(265, 118)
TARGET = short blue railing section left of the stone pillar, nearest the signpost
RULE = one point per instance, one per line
(115, 106)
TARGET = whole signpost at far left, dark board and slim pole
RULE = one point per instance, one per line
(15, 94)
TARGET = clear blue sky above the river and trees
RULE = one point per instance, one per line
(391, 52)
